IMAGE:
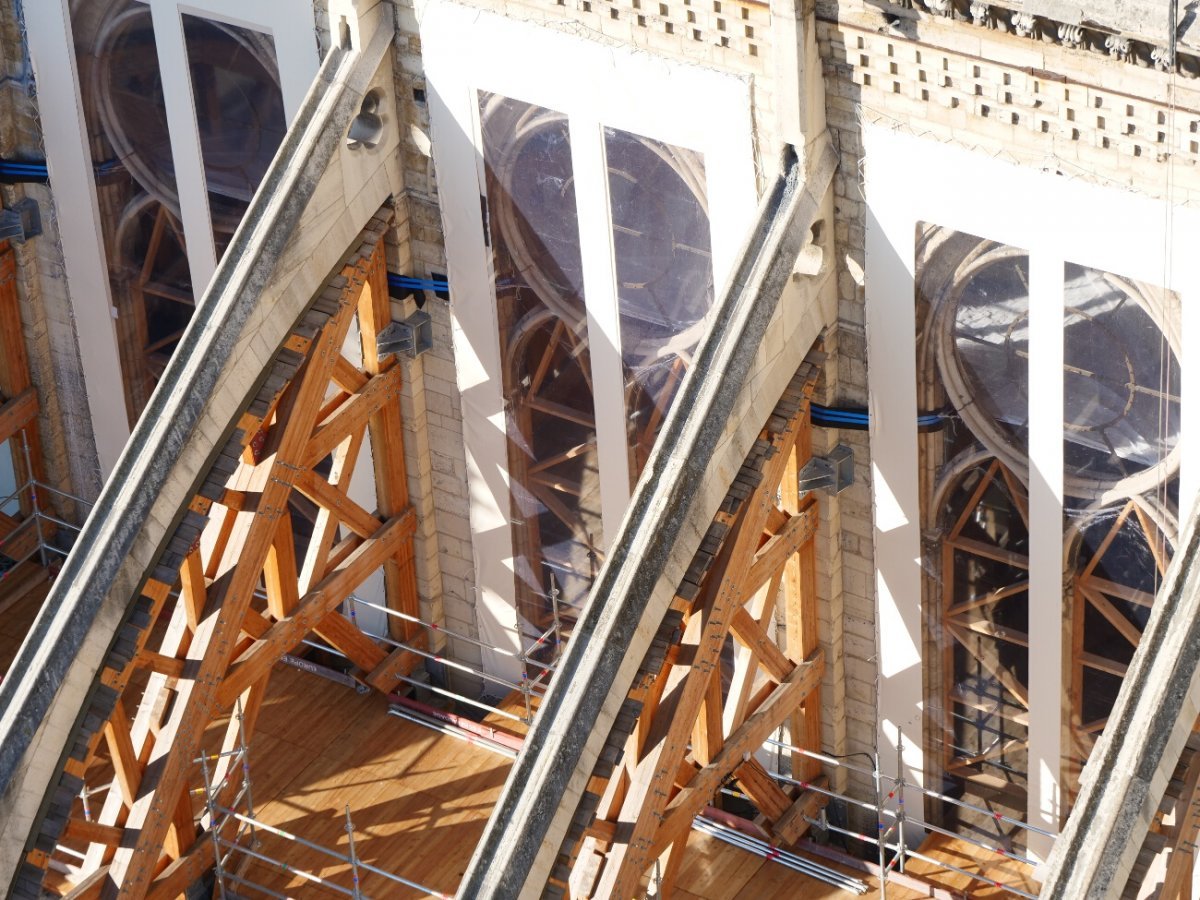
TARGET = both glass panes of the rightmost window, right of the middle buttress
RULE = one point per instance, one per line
(1120, 433)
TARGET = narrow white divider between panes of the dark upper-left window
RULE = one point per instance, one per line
(185, 143)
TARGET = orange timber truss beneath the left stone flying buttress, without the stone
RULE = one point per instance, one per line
(267, 554)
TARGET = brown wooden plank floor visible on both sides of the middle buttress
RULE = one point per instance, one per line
(419, 802)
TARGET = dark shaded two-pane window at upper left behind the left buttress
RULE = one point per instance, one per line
(233, 77)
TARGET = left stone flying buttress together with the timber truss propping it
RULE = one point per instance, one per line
(257, 409)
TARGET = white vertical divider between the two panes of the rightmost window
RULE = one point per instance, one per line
(1048, 679)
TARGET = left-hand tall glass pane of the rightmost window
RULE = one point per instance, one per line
(973, 350)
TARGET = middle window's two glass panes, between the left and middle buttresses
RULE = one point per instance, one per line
(664, 284)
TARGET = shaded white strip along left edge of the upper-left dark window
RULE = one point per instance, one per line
(52, 51)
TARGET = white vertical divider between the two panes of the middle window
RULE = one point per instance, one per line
(604, 320)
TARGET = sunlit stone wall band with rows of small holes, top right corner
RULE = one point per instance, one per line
(1075, 113)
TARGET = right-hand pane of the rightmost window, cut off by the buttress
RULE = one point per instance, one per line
(1121, 459)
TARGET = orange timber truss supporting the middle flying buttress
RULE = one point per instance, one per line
(723, 686)
